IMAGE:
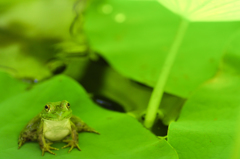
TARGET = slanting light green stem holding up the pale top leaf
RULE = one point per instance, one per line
(158, 90)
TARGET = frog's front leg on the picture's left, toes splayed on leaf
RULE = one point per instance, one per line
(44, 145)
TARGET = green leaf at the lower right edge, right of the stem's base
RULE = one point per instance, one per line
(208, 126)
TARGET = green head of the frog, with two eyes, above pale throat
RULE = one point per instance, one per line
(56, 111)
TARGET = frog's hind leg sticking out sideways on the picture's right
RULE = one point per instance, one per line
(81, 126)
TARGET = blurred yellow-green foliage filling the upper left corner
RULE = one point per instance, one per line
(34, 32)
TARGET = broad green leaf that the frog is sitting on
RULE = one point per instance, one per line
(121, 135)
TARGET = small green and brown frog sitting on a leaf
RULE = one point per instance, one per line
(54, 123)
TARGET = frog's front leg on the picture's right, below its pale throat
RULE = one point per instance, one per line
(73, 142)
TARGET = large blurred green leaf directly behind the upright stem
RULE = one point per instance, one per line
(135, 37)
